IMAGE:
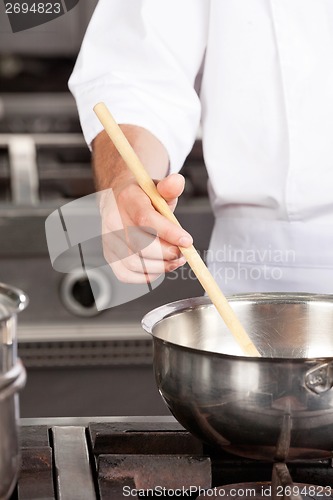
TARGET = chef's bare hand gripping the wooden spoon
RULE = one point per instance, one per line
(139, 243)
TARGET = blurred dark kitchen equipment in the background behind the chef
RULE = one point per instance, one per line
(79, 362)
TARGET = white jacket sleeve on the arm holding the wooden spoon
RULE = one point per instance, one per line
(141, 57)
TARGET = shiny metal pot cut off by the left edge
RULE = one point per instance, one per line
(12, 378)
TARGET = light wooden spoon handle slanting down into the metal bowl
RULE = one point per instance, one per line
(193, 258)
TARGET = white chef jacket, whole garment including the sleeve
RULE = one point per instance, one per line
(266, 109)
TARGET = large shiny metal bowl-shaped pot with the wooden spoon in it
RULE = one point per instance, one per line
(277, 407)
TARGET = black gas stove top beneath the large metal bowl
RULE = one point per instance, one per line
(134, 457)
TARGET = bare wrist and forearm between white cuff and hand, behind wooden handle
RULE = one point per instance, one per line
(110, 169)
